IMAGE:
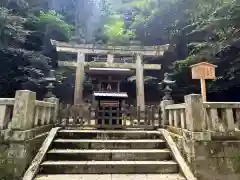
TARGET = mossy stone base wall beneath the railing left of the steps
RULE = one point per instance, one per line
(17, 149)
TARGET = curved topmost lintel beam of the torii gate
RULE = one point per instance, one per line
(106, 49)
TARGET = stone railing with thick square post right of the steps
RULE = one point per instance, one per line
(197, 116)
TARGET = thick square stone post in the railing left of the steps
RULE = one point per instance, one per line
(24, 107)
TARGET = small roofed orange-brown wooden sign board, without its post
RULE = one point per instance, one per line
(203, 70)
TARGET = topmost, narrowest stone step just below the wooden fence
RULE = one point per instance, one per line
(108, 134)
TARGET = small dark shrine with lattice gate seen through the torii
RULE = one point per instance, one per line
(108, 99)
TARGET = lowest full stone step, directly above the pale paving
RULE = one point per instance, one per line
(108, 167)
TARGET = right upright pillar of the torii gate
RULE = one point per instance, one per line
(140, 82)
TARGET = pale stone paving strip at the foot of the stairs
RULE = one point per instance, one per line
(111, 177)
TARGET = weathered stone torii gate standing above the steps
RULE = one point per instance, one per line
(136, 51)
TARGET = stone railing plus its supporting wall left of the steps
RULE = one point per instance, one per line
(24, 124)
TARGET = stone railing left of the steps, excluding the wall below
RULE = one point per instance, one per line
(24, 112)
